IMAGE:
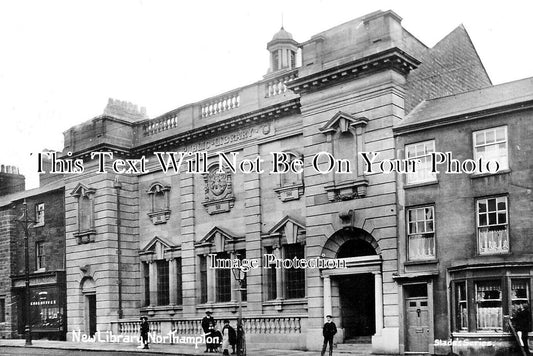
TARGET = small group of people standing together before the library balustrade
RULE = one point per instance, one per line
(218, 339)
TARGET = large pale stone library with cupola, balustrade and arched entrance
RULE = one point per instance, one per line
(140, 243)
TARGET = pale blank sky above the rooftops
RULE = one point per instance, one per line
(60, 61)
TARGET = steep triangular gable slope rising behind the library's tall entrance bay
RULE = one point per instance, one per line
(452, 66)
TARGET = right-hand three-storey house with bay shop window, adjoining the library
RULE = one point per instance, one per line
(465, 248)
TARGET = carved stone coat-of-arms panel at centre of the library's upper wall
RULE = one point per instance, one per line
(219, 197)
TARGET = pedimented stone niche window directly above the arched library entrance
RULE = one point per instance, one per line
(344, 134)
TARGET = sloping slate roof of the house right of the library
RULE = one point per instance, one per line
(472, 101)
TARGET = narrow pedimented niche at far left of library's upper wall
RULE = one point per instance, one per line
(85, 211)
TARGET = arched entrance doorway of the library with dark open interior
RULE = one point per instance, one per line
(355, 293)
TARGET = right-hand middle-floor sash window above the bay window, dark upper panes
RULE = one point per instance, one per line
(493, 237)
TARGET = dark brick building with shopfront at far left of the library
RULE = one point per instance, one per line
(46, 247)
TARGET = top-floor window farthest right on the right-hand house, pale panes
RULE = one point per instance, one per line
(491, 145)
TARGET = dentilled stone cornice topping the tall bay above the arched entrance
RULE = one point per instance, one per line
(393, 58)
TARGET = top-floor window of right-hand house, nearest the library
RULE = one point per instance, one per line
(421, 152)
